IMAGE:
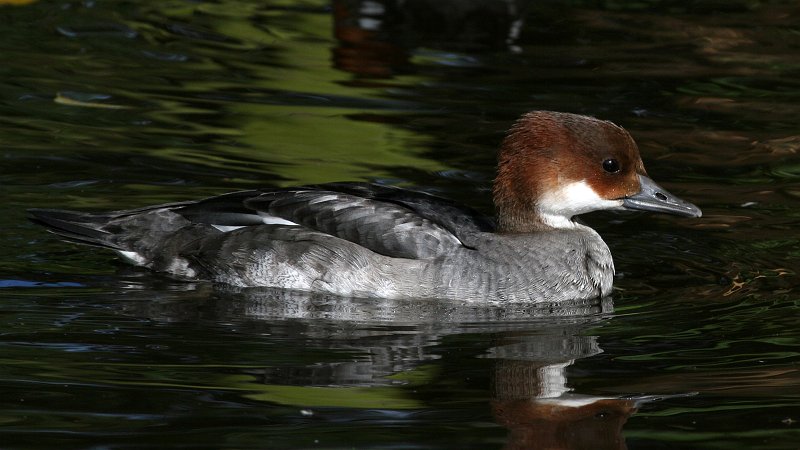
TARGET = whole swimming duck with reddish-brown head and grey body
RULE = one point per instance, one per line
(358, 239)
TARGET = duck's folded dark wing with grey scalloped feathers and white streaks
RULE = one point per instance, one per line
(387, 220)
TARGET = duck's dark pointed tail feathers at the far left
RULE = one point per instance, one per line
(75, 226)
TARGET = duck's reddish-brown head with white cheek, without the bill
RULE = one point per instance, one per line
(553, 166)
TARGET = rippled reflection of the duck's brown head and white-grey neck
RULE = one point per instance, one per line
(531, 397)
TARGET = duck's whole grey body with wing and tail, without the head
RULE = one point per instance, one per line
(350, 240)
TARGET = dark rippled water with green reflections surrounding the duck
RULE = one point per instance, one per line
(110, 105)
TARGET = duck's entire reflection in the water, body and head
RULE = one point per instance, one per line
(531, 347)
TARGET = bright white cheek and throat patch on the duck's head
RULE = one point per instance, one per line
(558, 206)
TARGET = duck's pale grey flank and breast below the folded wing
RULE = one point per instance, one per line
(547, 266)
